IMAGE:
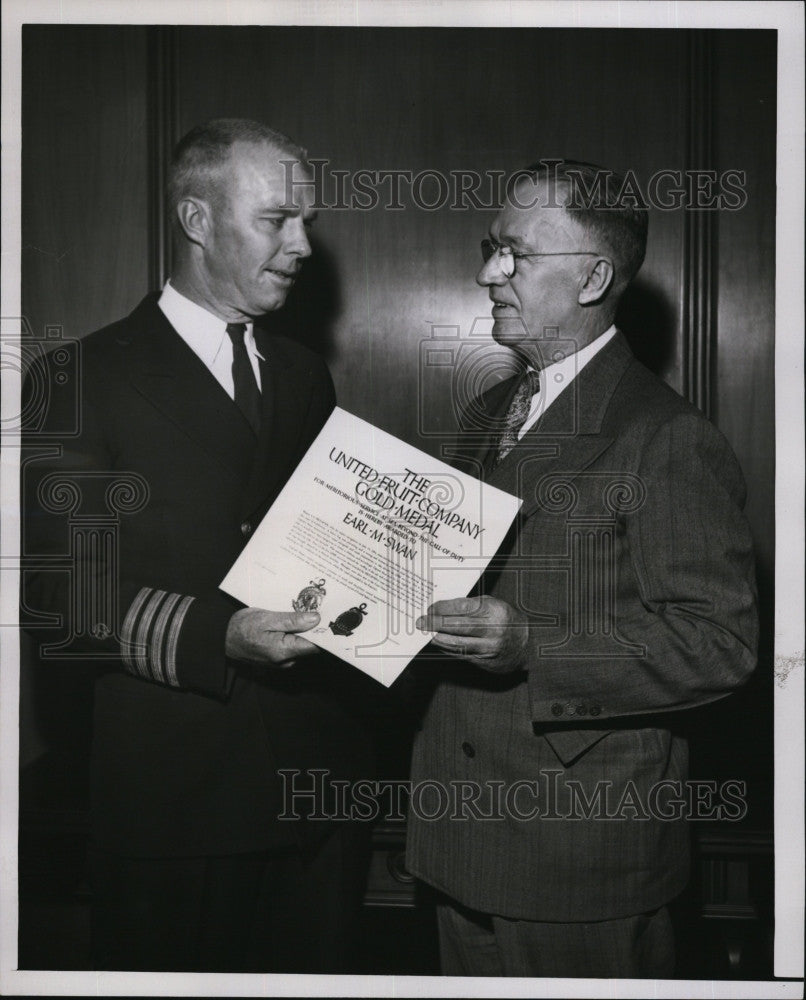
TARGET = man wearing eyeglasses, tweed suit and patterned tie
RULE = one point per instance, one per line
(624, 595)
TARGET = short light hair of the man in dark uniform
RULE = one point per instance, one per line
(199, 156)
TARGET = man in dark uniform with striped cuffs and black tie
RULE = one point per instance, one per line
(191, 401)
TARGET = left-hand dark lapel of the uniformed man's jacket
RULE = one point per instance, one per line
(170, 375)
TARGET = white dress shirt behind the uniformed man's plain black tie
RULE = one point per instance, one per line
(206, 335)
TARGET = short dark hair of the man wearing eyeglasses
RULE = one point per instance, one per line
(604, 204)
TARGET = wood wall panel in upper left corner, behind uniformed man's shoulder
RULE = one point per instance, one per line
(84, 219)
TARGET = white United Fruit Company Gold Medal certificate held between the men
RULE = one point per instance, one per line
(368, 532)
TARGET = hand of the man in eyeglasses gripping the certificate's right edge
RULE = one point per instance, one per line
(484, 630)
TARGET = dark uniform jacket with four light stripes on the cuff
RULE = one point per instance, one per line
(186, 744)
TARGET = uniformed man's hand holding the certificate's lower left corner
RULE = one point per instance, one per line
(268, 637)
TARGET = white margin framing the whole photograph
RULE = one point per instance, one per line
(788, 17)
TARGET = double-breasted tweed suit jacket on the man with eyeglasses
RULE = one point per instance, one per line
(633, 563)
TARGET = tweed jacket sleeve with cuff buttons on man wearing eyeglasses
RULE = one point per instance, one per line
(685, 594)
